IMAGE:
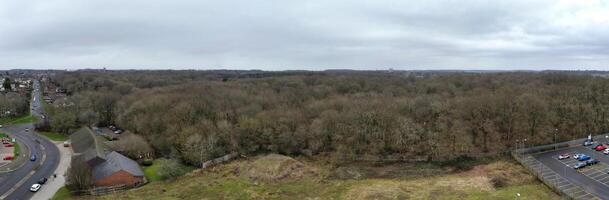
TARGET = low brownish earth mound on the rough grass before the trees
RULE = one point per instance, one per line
(275, 167)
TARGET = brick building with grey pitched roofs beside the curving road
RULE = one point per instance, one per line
(108, 168)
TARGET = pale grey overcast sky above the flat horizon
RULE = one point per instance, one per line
(311, 35)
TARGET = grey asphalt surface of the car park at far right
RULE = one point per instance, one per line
(596, 187)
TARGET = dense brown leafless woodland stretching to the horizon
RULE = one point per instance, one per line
(196, 115)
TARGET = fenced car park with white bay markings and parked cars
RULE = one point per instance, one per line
(590, 182)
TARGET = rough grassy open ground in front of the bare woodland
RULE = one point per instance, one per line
(261, 178)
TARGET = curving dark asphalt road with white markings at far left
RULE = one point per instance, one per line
(39, 146)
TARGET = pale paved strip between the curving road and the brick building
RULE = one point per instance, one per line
(54, 183)
